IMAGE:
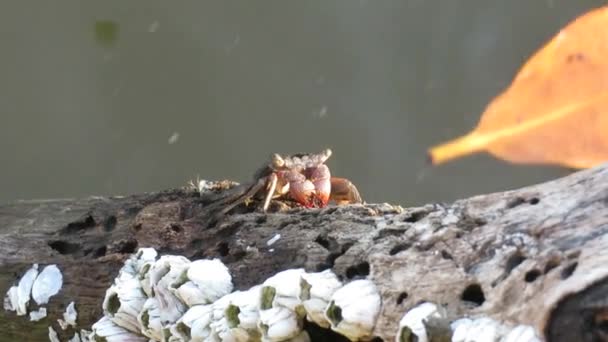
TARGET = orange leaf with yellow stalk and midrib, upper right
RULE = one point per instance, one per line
(556, 109)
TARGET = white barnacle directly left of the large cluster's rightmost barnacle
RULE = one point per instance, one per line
(316, 290)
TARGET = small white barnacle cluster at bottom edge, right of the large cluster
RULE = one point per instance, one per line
(417, 325)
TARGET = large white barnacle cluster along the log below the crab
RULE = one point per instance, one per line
(173, 299)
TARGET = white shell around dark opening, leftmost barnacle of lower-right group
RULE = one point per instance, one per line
(413, 322)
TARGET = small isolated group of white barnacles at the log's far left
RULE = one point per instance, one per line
(39, 286)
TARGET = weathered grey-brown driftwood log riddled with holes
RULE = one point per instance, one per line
(536, 256)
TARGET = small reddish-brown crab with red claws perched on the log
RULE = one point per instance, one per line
(303, 178)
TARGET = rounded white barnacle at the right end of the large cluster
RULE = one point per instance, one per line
(354, 308)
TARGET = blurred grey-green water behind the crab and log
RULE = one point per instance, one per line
(115, 98)
